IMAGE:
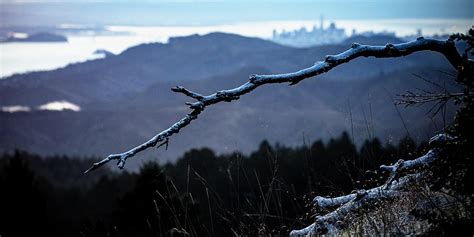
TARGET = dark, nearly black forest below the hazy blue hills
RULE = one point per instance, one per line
(266, 192)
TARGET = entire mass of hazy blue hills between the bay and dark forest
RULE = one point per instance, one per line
(126, 99)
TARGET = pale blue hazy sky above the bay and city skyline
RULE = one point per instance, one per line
(198, 12)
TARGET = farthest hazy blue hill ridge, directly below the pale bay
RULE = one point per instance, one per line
(183, 59)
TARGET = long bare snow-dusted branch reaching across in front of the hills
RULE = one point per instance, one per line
(447, 48)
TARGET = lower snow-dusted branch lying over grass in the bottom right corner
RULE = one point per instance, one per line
(393, 187)
